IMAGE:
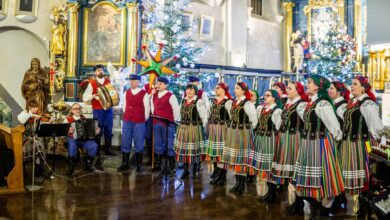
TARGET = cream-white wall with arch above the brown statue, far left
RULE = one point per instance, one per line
(19, 42)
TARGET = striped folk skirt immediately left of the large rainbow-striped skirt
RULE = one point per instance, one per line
(286, 157)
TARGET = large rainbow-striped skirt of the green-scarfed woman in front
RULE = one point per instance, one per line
(317, 170)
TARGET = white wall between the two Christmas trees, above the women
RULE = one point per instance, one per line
(240, 37)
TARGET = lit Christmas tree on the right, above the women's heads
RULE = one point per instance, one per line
(332, 49)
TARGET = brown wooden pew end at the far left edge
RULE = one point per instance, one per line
(14, 140)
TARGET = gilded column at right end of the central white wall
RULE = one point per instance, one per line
(287, 35)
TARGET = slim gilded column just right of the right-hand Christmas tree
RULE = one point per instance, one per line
(358, 31)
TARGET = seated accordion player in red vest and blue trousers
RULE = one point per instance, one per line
(90, 146)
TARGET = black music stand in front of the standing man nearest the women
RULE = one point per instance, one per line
(166, 170)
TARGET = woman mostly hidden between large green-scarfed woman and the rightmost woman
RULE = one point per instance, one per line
(340, 96)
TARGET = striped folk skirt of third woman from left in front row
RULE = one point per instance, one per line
(238, 145)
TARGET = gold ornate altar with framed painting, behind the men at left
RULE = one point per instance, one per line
(107, 33)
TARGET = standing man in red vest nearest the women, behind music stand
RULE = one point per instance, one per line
(164, 105)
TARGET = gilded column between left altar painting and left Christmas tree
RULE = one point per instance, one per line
(132, 39)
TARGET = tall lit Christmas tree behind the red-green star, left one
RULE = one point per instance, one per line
(172, 29)
